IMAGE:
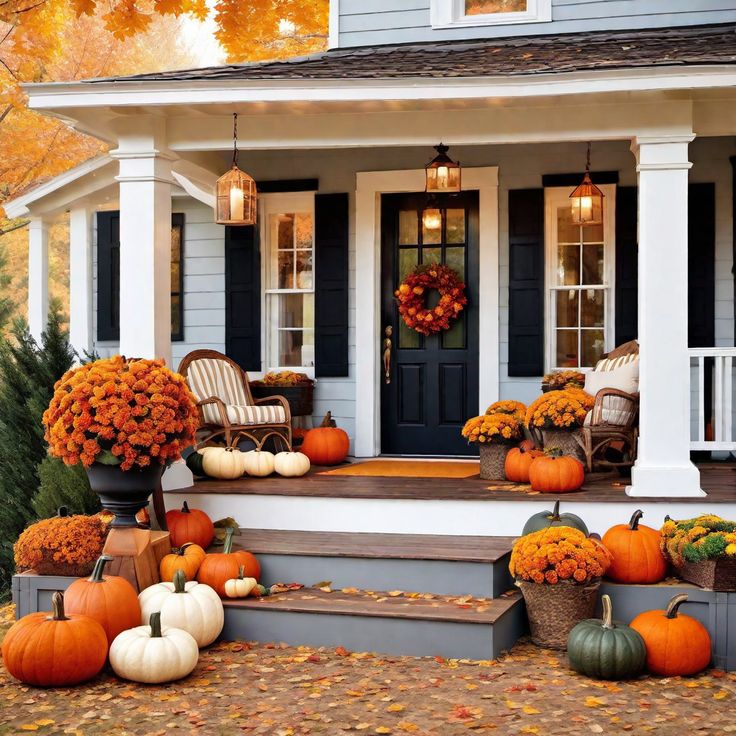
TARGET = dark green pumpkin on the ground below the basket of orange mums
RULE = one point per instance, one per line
(606, 649)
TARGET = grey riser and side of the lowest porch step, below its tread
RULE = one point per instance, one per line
(377, 634)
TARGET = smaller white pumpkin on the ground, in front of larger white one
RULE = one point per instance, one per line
(153, 654)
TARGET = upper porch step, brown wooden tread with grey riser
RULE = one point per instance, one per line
(442, 564)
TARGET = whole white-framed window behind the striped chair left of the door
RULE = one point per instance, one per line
(287, 224)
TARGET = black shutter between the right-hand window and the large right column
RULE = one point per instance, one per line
(627, 264)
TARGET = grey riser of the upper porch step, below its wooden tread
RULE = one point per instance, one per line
(444, 577)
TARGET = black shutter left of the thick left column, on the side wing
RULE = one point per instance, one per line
(108, 276)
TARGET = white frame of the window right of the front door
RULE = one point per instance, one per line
(554, 197)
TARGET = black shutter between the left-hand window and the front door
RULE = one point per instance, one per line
(331, 222)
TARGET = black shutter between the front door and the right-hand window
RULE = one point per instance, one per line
(526, 282)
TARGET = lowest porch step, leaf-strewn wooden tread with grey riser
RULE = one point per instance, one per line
(378, 622)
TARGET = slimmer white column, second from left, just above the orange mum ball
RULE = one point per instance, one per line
(80, 280)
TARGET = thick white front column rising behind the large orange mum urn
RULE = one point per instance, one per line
(145, 245)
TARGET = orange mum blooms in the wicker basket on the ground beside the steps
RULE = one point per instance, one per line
(558, 553)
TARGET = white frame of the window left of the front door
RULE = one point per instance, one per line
(272, 204)
